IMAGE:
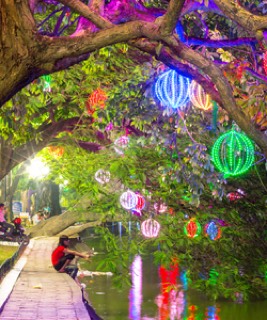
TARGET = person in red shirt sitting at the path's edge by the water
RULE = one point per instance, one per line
(62, 257)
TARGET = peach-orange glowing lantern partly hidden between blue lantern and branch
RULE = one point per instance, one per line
(199, 98)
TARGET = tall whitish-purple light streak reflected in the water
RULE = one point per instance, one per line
(135, 295)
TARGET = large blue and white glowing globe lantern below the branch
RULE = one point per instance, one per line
(172, 89)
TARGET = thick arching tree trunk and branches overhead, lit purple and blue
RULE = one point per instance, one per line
(35, 49)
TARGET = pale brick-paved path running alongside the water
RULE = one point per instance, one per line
(39, 292)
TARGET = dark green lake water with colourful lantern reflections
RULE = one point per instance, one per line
(147, 300)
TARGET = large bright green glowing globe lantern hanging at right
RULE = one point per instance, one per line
(233, 153)
